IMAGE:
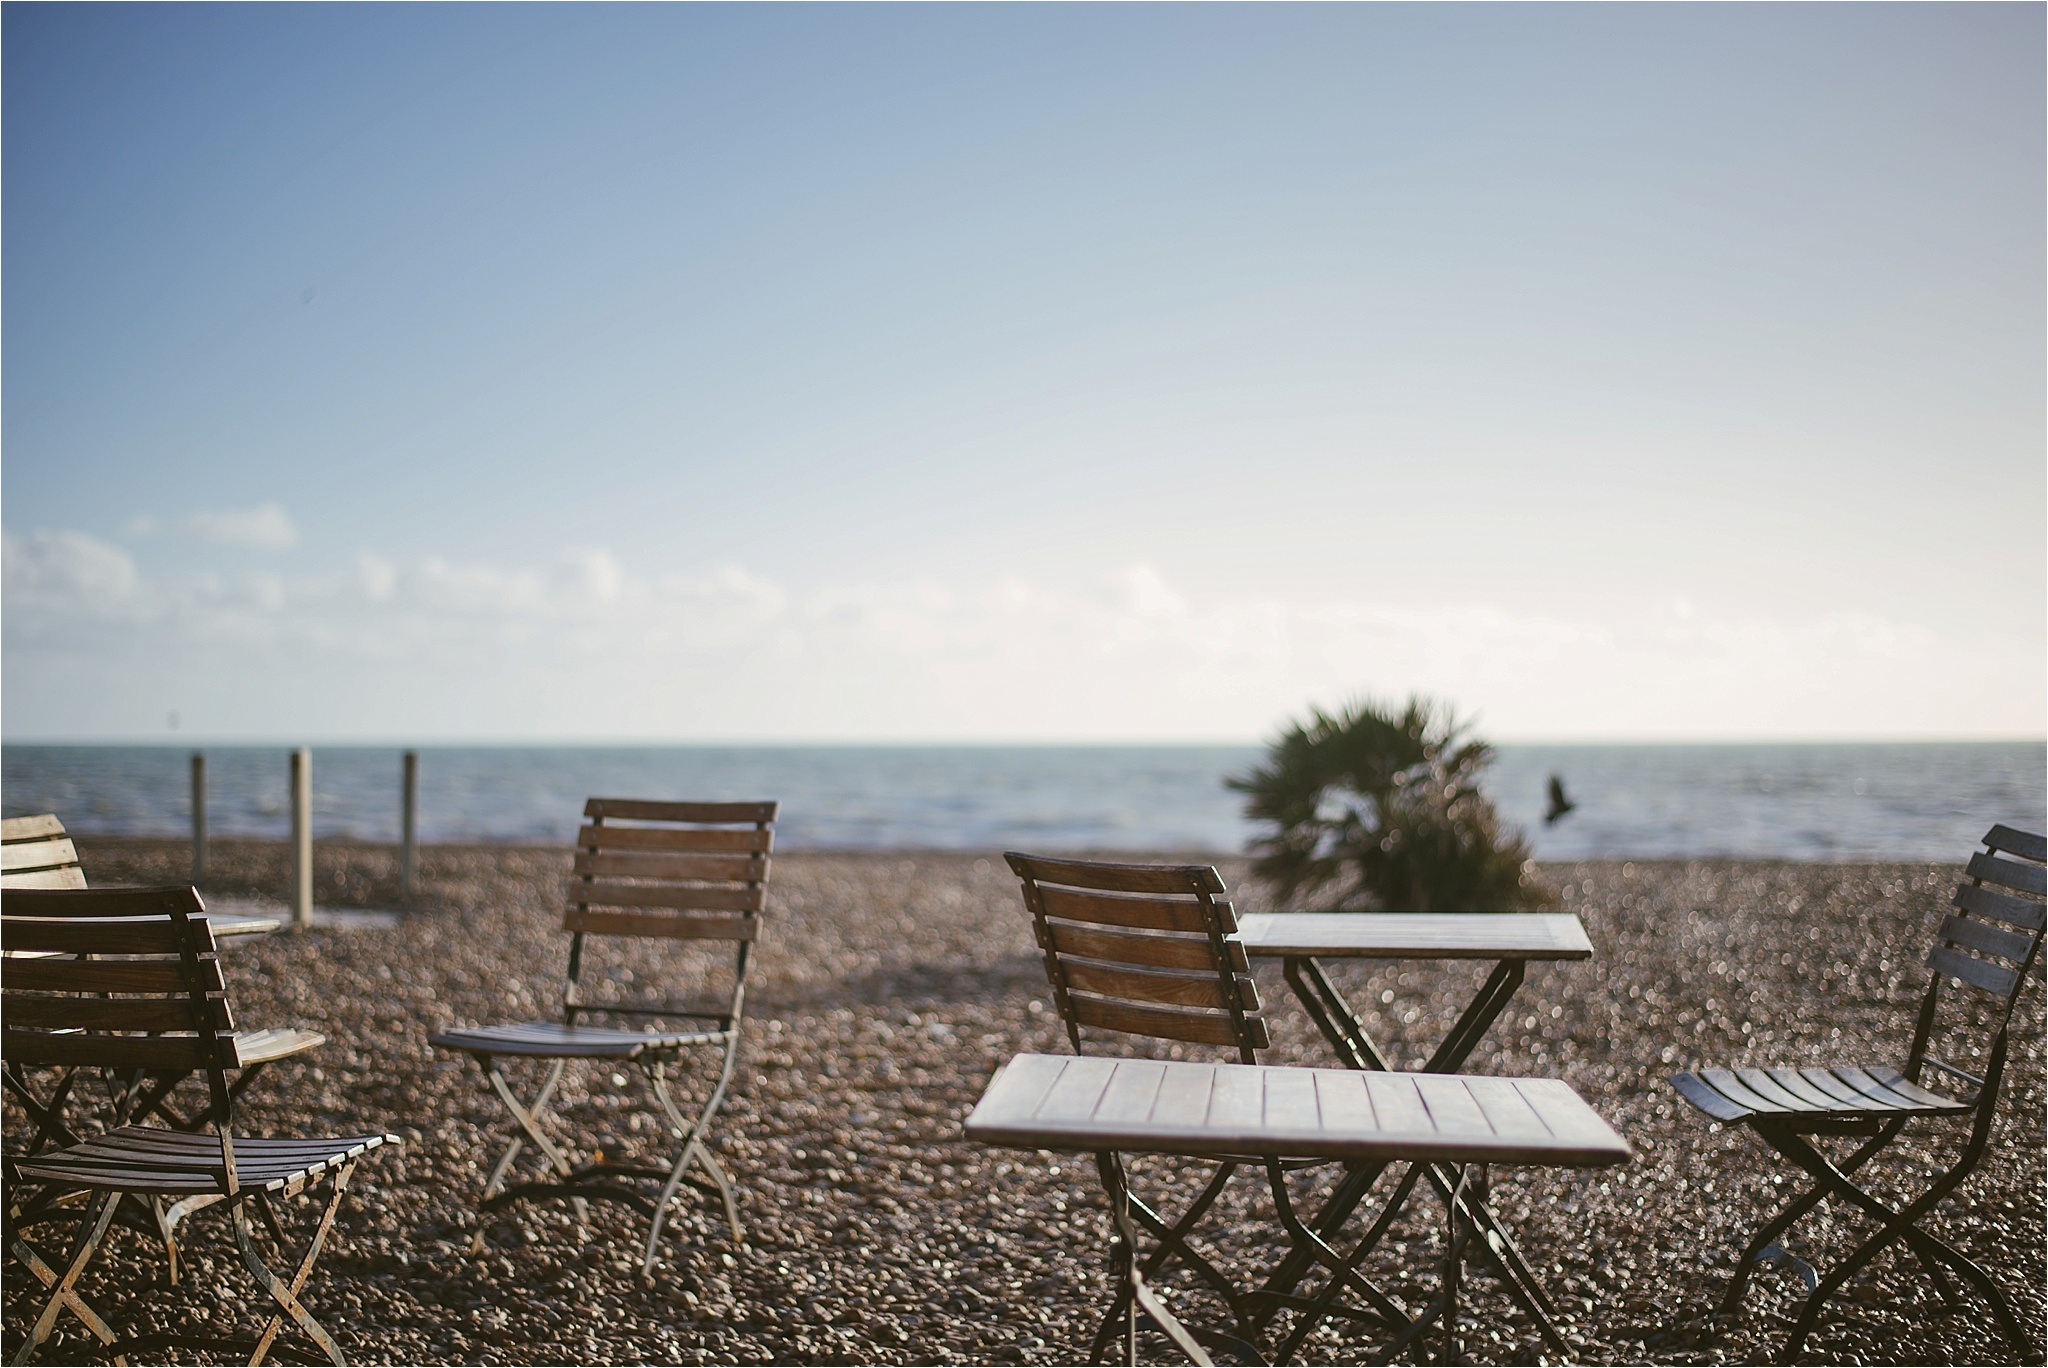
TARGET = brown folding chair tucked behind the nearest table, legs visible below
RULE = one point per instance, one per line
(1146, 951)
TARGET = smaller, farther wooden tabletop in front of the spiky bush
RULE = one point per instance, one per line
(1416, 935)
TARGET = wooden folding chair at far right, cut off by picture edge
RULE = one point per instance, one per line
(1992, 945)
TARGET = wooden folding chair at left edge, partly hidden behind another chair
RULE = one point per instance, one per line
(38, 855)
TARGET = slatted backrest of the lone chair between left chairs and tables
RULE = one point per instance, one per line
(681, 871)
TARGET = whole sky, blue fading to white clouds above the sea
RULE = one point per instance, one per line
(1021, 374)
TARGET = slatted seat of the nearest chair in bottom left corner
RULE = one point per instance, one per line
(153, 1160)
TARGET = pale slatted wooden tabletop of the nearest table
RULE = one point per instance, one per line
(1201, 1109)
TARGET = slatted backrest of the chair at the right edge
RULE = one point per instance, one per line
(1994, 939)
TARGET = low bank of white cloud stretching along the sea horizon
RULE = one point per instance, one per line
(583, 646)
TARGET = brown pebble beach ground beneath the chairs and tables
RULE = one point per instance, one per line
(890, 990)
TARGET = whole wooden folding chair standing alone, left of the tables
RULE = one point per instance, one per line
(665, 871)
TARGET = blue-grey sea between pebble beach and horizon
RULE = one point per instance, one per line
(1826, 802)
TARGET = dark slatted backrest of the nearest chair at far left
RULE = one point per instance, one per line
(118, 980)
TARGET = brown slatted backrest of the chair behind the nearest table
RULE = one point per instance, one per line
(1144, 949)
